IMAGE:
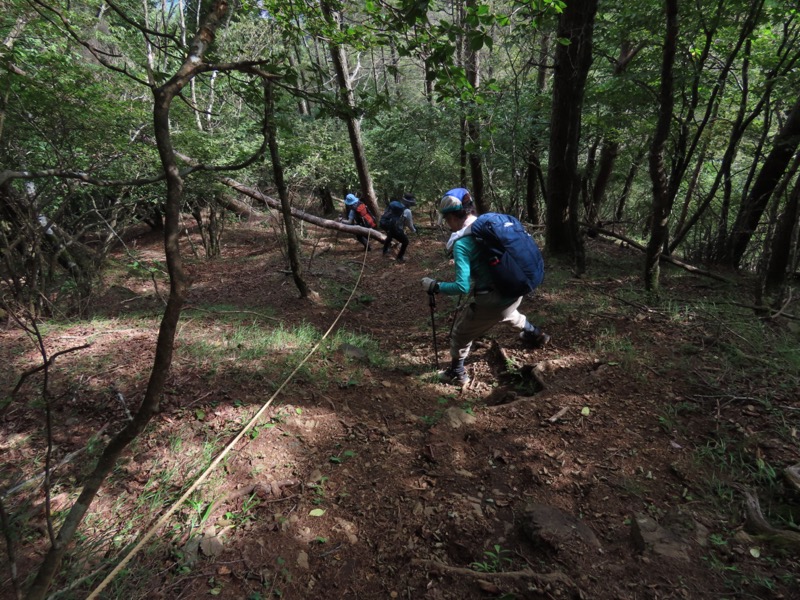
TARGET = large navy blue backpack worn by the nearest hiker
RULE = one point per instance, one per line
(515, 262)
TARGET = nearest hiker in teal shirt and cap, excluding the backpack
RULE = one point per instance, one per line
(488, 306)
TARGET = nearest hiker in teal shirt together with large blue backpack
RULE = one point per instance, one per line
(499, 262)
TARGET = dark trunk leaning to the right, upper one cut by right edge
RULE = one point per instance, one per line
(783, 148)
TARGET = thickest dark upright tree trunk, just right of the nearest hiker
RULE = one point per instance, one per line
(572, 64)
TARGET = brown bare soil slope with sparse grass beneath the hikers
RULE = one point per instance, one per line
(609, 465)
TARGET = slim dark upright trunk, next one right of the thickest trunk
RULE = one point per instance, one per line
(662, 199)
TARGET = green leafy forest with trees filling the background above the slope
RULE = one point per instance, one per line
(555, 112)
